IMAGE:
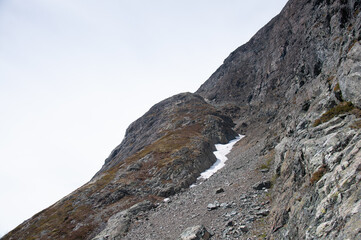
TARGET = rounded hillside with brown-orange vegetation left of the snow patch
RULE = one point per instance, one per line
(163, 152)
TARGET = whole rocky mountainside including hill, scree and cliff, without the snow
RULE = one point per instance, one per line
(294, 90)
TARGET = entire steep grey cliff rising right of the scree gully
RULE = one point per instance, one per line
(300, 77)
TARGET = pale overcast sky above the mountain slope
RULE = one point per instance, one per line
(75, 73)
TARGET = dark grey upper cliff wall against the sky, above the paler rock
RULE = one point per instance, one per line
(297, 52)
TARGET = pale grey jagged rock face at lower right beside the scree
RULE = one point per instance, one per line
(330, 208)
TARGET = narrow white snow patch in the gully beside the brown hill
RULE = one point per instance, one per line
(222, 151)
